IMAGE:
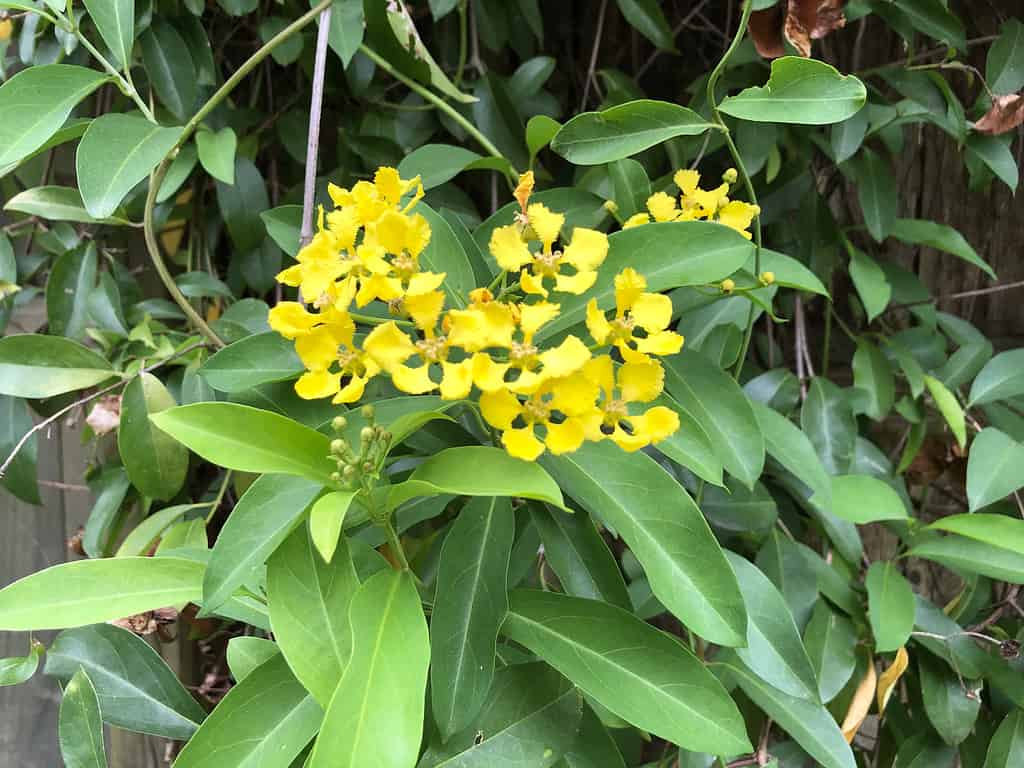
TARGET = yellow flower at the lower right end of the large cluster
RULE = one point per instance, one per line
(636, 382)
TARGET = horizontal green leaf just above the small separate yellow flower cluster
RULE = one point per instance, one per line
(596, 138)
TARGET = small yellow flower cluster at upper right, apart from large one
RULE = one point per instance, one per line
(698, 204)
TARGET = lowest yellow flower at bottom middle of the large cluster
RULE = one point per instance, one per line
(554, 417)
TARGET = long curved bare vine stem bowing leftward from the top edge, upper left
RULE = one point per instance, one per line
(158, 176)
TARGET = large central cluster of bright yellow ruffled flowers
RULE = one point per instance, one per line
(553, 398)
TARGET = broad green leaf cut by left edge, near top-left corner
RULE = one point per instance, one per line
(36, 104)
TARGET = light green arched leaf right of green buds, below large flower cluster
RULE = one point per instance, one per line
(495, 474)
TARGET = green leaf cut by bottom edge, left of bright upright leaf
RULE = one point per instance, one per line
(268, 719)
